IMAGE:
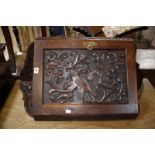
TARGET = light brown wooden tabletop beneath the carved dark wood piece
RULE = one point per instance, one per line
(13, 114)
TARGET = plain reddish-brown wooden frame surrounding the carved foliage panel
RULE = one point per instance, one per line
(40, 109)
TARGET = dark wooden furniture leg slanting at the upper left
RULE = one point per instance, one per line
(12, 62)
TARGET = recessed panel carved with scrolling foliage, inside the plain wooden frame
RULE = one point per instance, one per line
(84, 77)
